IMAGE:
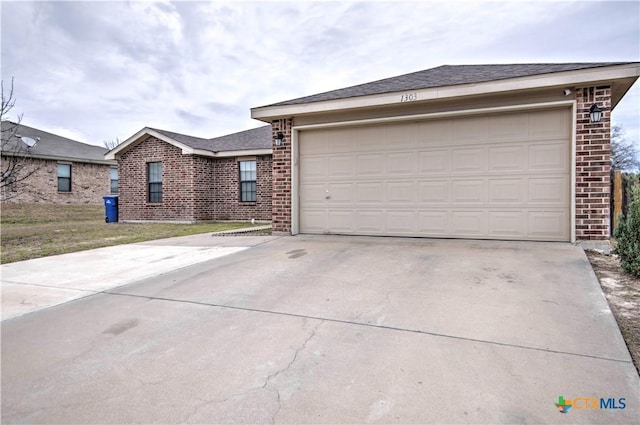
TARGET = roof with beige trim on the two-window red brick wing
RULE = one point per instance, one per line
(256, 141)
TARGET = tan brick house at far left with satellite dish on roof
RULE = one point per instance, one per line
(62, 171)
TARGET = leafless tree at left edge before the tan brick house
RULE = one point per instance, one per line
(16, 166)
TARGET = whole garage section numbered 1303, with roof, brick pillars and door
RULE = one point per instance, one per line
(471, 151)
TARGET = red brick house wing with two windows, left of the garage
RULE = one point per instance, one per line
(167, 176)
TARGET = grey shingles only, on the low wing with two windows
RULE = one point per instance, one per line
(256, 138)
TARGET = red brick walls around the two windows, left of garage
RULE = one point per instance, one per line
(194, 188)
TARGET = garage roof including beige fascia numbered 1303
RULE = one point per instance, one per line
(458, 81)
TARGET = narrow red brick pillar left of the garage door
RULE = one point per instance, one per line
(281, 212)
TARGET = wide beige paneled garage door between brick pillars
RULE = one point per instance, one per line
(503, 176)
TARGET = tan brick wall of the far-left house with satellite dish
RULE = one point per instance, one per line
(89, 183)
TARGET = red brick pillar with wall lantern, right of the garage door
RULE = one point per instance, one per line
(593, 166)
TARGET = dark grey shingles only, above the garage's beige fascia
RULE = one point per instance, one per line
(446, 75)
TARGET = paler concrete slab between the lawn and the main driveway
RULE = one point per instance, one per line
(32, 285)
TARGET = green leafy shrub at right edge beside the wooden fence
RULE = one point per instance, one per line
(627, 235)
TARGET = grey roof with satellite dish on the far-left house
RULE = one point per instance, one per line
(51, 146)
